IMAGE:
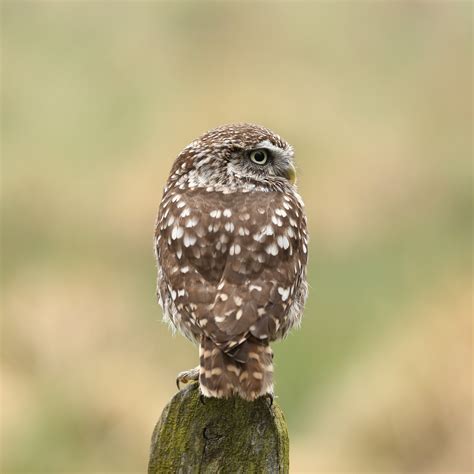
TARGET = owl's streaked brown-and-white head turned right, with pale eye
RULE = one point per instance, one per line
(240, 156)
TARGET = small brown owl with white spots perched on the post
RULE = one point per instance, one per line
(231, 245)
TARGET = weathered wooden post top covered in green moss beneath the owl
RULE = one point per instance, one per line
(231, 436)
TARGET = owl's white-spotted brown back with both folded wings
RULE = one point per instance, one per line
(234, 262)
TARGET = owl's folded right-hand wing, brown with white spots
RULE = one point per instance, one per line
(263, 269)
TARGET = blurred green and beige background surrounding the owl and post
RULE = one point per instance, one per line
(97, 100)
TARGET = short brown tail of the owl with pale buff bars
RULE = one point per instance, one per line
(247, 370)
